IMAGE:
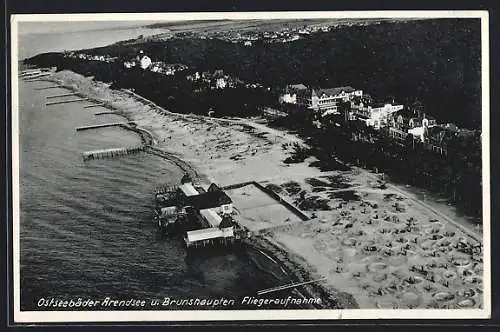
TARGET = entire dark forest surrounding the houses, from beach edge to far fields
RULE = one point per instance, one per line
(435, 61)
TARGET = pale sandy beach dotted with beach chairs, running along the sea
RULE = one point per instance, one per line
(377, 247)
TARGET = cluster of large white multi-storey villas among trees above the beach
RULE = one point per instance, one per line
(355, 105)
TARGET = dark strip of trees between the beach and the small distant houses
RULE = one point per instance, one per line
(173, 92)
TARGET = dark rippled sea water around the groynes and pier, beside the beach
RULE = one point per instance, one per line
(86, 228)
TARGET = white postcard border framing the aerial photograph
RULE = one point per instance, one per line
(245, 315)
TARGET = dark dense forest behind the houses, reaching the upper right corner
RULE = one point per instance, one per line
(435, 61)
